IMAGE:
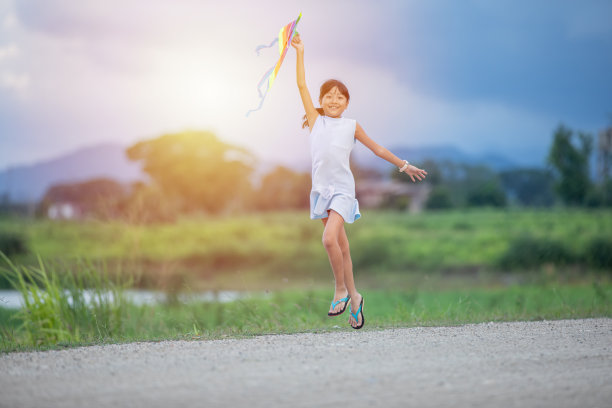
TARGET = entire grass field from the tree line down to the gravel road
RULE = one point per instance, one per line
(437, 268)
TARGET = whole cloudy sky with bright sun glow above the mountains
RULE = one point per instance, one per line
(483, 76)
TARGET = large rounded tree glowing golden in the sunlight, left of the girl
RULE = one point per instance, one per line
(196, 168)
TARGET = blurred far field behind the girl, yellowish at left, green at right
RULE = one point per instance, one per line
(203, 250)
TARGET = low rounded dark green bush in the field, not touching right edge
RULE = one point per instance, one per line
(530, 252)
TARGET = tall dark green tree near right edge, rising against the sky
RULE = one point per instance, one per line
(571, 164)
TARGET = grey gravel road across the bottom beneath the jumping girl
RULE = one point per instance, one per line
(564, 363)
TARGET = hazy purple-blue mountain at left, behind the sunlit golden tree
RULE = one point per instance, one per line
(28, 183)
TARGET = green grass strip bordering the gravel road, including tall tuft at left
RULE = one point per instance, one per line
(53, 323)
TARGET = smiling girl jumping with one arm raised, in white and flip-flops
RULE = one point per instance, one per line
(332, 198)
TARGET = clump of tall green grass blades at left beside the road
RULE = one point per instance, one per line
(55, 307)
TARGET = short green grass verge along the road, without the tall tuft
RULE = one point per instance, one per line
(305, 309)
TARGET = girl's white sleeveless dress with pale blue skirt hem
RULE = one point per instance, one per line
(333, 185)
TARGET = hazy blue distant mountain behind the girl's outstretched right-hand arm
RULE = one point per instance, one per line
(493, 160)
